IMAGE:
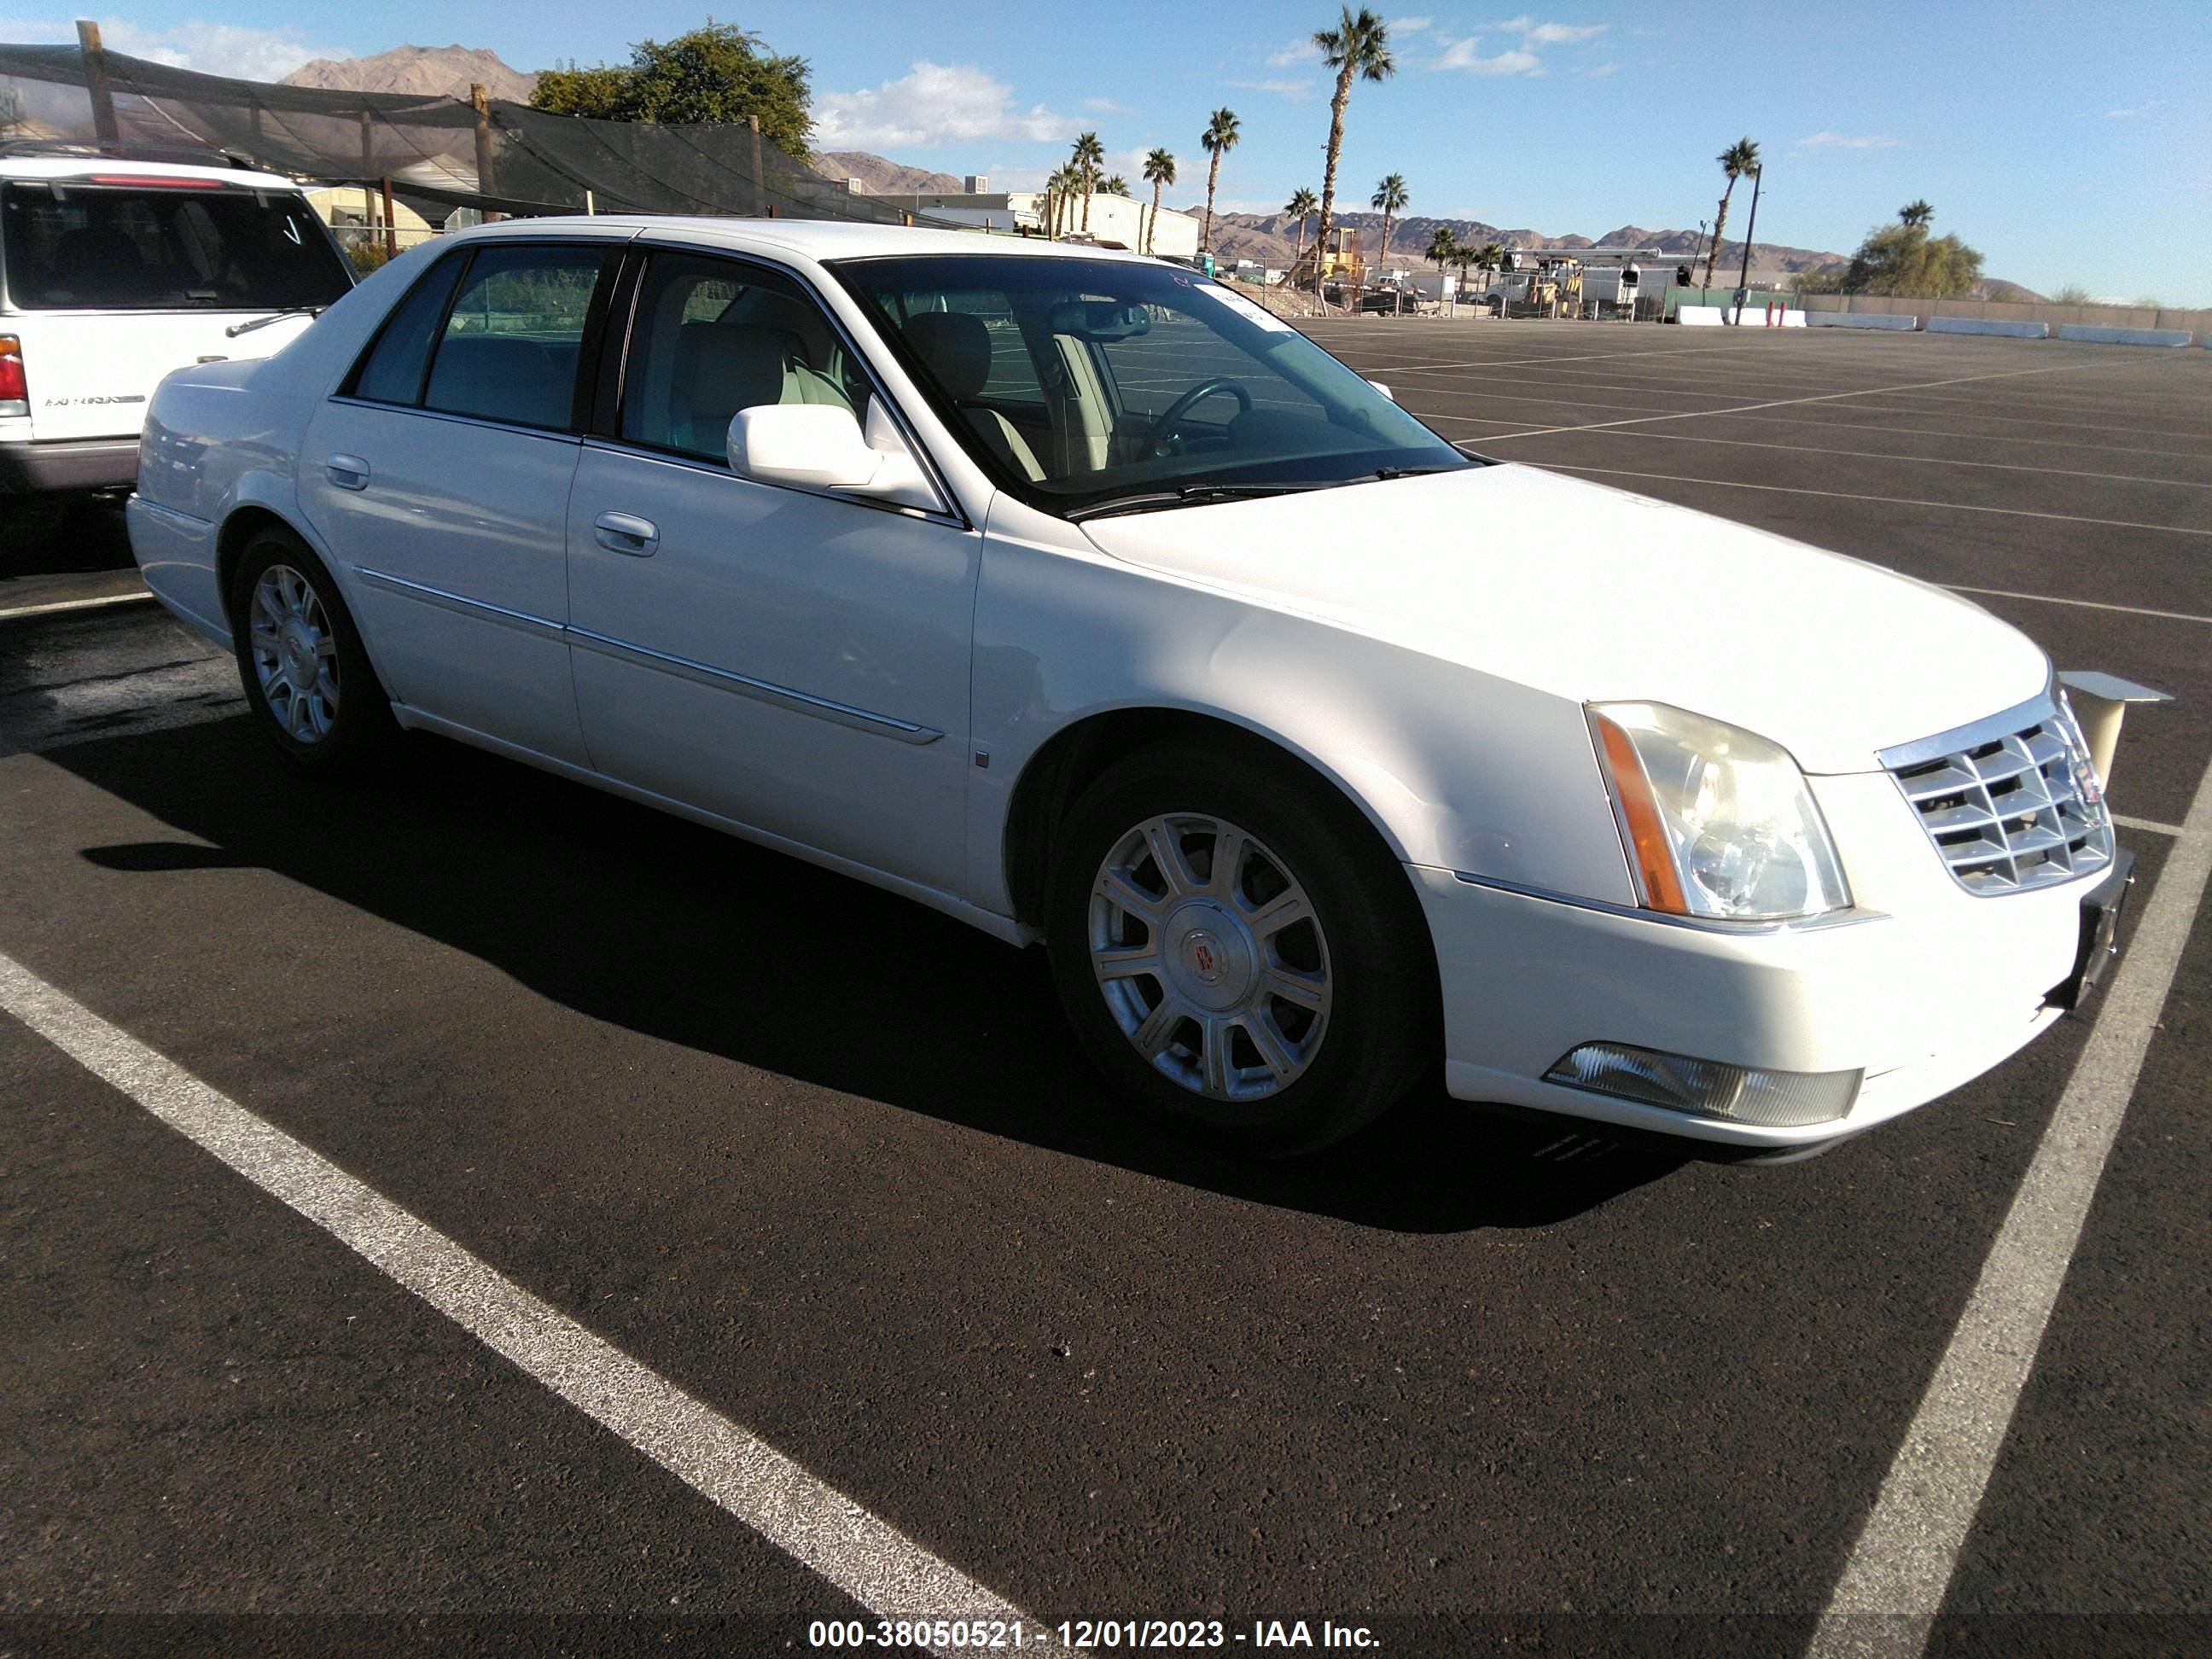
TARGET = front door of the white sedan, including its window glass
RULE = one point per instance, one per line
(789, 660)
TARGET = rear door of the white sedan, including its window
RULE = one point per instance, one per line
(441, 479)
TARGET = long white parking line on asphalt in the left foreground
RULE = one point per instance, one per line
(811, 1521)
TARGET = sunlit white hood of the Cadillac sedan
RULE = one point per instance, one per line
(1603, 596)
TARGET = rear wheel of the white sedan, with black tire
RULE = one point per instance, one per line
(348, 722)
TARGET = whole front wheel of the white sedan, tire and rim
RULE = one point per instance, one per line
(1238, 950)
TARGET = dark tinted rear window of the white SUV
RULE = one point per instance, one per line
(132, 249)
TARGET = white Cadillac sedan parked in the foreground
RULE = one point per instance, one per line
(1083, 601)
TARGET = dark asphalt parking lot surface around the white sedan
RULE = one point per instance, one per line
(831, 1167)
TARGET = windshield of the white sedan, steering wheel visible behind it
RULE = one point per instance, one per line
(1087, 382)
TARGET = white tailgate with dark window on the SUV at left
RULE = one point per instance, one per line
(116, 280)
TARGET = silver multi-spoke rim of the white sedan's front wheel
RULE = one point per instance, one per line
(1211, 957)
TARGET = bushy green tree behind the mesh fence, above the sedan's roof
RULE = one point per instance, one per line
(716, 74)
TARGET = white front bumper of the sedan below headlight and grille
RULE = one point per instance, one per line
(1921, 997)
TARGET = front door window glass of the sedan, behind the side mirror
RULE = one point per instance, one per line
(716, 337)
